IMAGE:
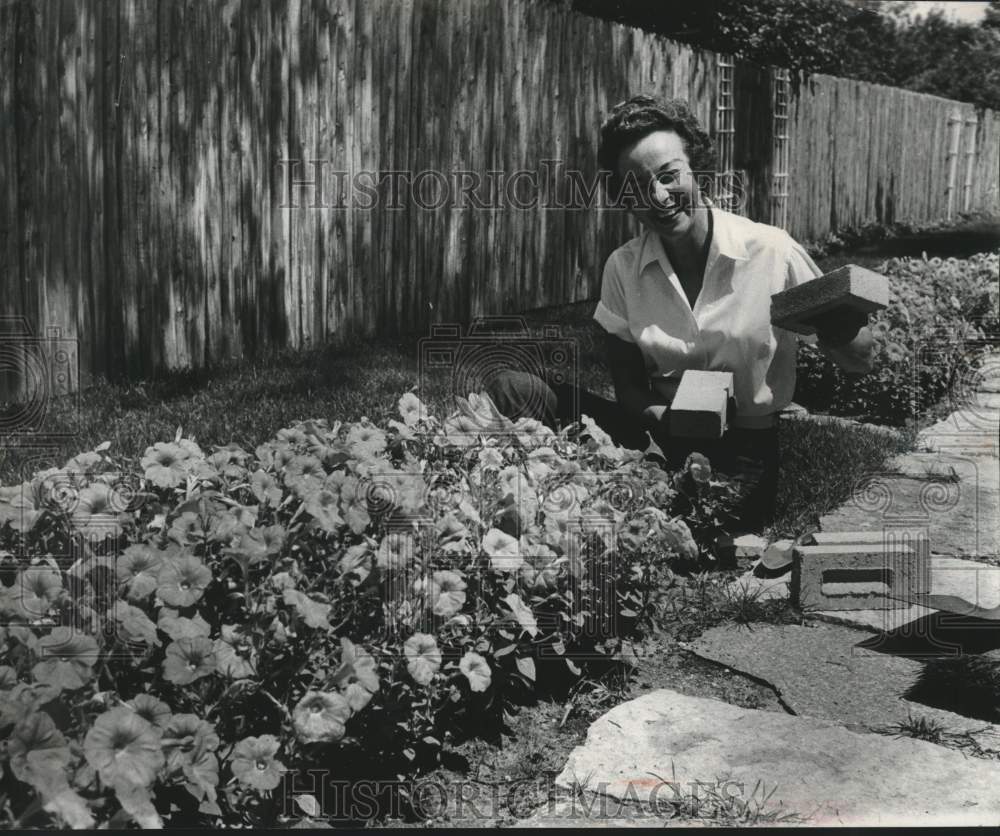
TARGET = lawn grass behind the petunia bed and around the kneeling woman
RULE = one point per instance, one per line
(248, 402)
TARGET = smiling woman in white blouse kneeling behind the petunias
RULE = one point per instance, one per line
(692, 291)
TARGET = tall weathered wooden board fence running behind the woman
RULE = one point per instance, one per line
(149, 151)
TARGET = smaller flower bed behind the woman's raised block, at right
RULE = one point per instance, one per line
(929, 341)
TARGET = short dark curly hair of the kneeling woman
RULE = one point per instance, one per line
(634, 118)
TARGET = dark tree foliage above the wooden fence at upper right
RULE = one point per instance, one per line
(931, 54)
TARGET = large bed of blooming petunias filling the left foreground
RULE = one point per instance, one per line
(184, 635)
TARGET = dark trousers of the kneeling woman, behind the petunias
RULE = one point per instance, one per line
(741, 453)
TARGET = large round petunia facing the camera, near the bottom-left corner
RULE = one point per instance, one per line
(124, 748)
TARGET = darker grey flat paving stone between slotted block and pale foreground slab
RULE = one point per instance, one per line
(826, 671)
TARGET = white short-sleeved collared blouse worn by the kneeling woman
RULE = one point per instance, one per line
(729, 328)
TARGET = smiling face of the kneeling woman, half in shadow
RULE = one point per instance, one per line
(657, 170)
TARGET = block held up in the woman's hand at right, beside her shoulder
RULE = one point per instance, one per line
(849, 286)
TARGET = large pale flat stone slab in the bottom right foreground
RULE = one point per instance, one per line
(816, 769)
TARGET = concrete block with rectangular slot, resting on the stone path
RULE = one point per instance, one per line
(886, 572)
